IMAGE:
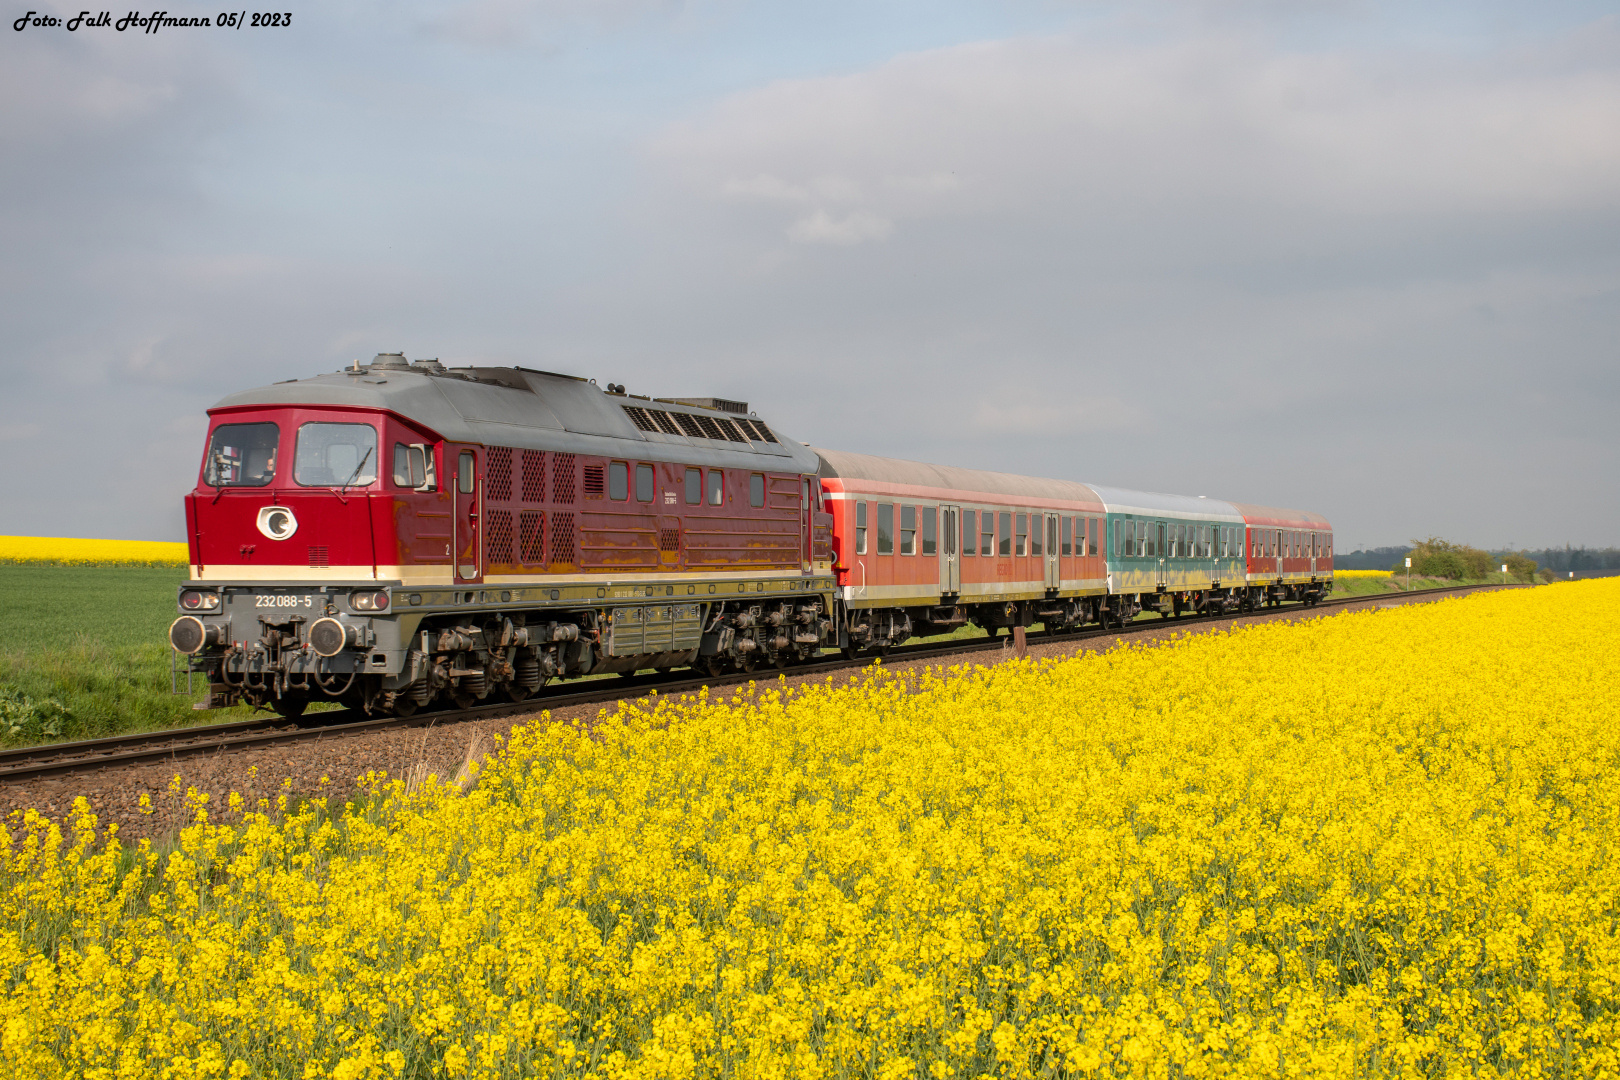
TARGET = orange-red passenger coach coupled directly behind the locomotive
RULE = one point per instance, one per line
(924, 548)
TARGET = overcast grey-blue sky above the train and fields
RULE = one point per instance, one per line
(1355, 258)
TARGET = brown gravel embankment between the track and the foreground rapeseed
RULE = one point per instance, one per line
(335, 765)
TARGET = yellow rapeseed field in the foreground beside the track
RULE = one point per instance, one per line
(1370, 844)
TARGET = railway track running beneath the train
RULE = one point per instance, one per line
(257, 734)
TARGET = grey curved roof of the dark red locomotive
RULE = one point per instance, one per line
(532, 410)
